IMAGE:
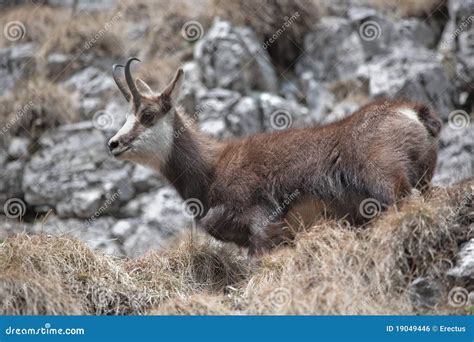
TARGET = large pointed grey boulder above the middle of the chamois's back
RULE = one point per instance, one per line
(232, 57)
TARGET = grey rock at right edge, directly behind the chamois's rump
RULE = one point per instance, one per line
(455, 156)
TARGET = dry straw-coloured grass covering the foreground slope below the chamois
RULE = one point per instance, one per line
(330, 268)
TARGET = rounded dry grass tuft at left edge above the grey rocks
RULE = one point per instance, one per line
(36, 105)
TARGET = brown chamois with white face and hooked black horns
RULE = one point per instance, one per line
(247, 186)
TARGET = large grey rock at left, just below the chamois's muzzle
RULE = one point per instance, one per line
(73, 167)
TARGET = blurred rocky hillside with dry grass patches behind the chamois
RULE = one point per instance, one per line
(250, 67)
